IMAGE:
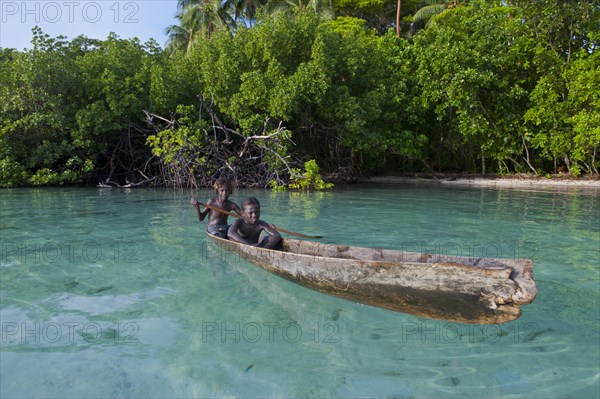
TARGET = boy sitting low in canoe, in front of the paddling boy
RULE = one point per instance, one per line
(248, 229)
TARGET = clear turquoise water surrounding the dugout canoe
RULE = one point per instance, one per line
(115, 293)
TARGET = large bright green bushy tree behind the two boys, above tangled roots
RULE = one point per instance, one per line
(312, 74)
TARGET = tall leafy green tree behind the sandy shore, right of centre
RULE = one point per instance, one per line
(475, 79)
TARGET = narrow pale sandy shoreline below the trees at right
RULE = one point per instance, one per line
(514, 181)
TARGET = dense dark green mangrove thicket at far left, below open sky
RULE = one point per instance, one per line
(65, 105)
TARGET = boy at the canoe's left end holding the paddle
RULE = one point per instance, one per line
(217, 221)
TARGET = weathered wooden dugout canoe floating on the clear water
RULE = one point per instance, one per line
(442, 287)
